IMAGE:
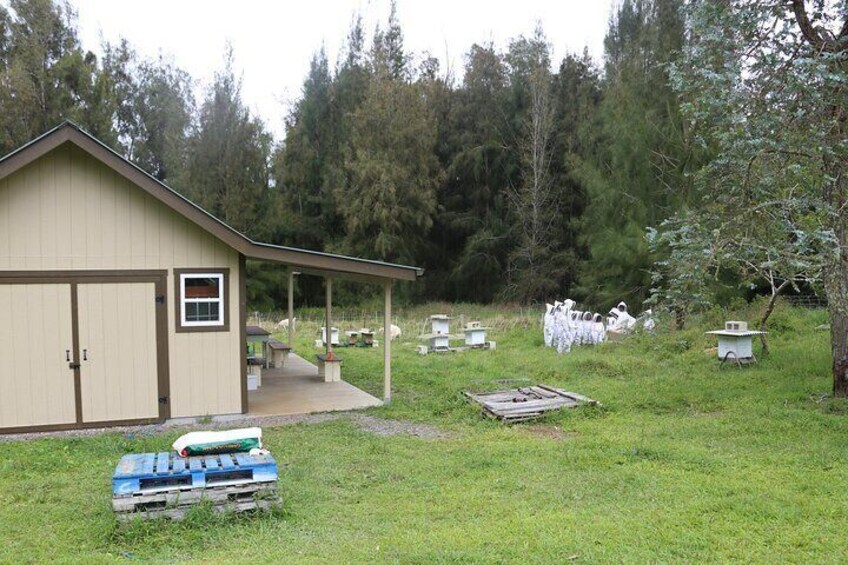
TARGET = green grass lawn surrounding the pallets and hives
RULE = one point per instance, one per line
(683, 462)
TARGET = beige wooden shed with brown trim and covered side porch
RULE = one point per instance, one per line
(121, 301)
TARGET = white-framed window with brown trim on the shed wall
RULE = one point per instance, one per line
(202, 304)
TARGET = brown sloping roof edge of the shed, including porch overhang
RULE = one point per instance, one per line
(303, 260)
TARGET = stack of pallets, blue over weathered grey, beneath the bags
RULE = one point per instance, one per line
(154, 485)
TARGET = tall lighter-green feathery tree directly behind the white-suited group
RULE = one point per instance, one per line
(637, 176)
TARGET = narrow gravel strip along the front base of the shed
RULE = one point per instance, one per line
(379, 426)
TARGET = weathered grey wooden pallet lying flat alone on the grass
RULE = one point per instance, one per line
(526, 403)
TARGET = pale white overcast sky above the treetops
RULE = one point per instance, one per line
(273, 41)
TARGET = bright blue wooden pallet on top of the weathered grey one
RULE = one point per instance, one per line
(139, 473)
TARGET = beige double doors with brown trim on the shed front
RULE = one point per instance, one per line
(81, 351)
